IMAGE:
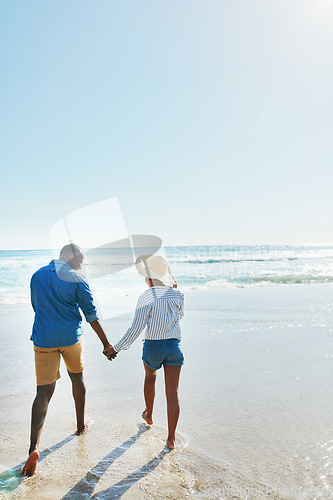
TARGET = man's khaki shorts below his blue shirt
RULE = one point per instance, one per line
(47, 361)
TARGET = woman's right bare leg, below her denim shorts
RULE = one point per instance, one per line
(171, 377)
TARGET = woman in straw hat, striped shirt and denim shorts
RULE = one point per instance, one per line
(159, 309)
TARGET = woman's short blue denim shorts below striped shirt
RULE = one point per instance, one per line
(156, 353)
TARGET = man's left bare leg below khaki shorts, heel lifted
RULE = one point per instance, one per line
(38, 414)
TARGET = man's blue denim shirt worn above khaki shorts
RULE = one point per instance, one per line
(57, 293)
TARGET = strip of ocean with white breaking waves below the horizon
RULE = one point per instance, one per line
(196, 268)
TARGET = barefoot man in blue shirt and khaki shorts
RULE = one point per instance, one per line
(57, 293)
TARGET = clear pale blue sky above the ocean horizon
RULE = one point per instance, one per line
(211, 121)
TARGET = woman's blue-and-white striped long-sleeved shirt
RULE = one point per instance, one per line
(160, 309)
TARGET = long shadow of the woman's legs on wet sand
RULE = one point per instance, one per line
(85, 487)
